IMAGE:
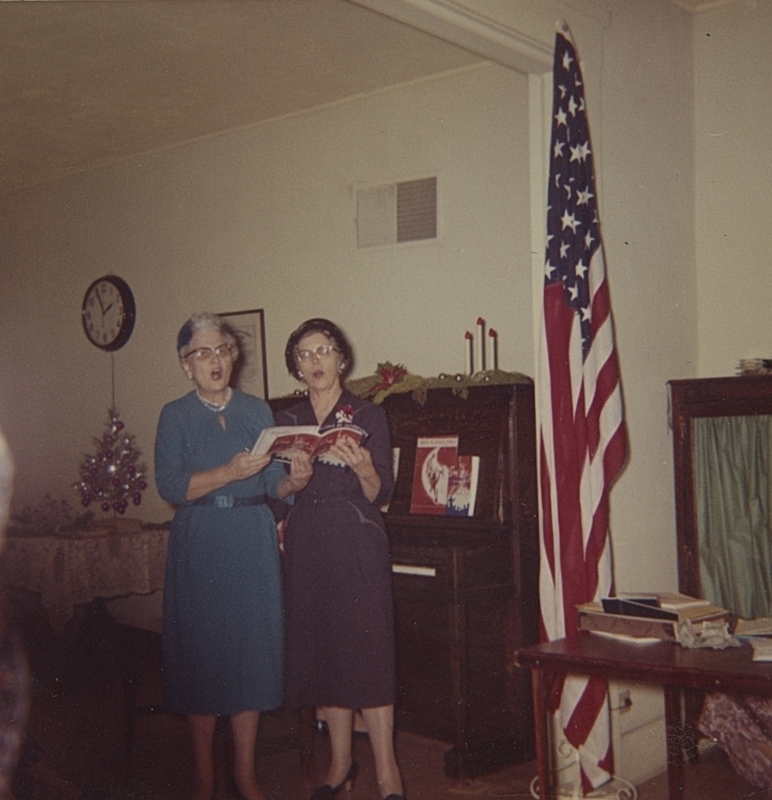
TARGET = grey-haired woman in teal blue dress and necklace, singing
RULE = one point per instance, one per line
(222, 618)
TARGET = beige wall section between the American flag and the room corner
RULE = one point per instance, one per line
(647, 216)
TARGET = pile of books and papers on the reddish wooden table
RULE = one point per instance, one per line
(654, 616)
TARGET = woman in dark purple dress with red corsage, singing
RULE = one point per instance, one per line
(340, 628)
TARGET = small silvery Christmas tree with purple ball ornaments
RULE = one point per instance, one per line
(113, 475)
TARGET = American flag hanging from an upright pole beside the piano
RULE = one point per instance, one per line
(582, 443)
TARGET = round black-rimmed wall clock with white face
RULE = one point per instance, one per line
(108, 312)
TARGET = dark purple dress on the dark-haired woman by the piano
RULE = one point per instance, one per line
(337, 576)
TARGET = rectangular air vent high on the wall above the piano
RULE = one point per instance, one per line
(397, 212)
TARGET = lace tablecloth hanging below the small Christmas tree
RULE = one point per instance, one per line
(69, 571)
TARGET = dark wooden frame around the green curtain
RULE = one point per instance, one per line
(690, 399)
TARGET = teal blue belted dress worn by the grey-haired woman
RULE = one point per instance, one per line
(223, 626)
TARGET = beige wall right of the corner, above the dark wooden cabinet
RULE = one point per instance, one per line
(733, 130)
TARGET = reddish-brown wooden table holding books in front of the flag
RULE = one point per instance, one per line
(669, 664)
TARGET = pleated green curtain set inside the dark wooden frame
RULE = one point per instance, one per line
(732, 493)
